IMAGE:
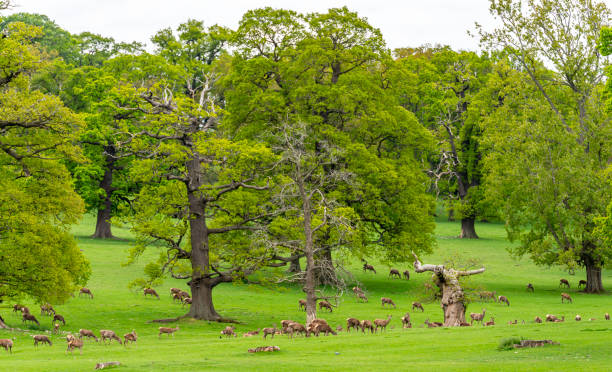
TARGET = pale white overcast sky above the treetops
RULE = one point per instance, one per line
(407, 23)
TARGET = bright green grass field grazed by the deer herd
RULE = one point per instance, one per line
(585, 345)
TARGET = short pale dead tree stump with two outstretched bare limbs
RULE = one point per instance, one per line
(453, 298)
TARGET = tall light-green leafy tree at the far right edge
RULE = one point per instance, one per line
(550, 140)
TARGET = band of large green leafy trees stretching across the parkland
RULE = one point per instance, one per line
(301, 136)
